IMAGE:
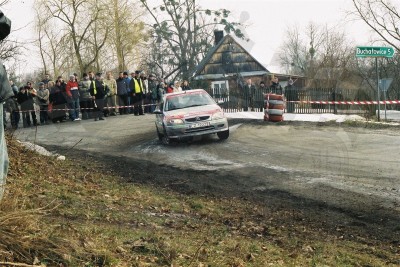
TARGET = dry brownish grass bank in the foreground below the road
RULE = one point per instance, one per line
(78, 214)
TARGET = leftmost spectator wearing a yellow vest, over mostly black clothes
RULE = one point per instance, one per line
(98, 91)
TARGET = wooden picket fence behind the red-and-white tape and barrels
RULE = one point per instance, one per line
(232, 101)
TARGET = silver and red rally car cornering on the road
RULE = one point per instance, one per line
(184, 115)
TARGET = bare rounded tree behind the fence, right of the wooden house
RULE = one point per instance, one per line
(320, 53)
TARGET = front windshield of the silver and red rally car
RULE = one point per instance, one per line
(188, 100)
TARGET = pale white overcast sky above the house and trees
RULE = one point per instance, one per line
(267, 20)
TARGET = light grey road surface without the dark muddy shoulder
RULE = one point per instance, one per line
(353, 168)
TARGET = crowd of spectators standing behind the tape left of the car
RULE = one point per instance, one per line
(93, 96)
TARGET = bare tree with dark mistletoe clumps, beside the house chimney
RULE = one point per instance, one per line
(182, 31)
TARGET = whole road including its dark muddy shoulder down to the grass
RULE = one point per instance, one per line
(337, 174)
